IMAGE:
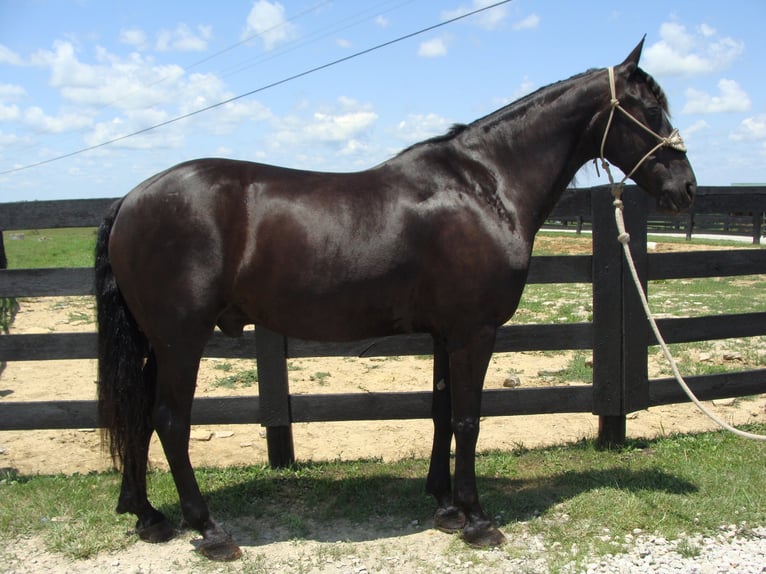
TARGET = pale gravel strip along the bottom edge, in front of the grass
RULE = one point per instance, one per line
(736, 549)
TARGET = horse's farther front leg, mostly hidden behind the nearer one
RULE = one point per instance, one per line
(448, 517)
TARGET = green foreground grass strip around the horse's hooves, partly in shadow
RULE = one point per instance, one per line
(569, 495)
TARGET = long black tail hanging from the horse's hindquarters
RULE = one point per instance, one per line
(125, 387)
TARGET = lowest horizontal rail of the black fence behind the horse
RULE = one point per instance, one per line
(383, 406)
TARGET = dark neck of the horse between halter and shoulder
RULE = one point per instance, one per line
(541, 142)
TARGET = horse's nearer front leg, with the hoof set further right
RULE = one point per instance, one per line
(468, 366)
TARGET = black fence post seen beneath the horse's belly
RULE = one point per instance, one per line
(274, 396)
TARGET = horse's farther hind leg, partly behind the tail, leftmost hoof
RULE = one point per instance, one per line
(152, 526)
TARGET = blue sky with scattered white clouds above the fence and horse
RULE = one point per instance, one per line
(76, 73)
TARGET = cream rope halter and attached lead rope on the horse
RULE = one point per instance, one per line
(674, 141)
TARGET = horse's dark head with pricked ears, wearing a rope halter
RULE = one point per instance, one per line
(639, 139)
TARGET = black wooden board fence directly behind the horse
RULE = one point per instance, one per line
(618, 335)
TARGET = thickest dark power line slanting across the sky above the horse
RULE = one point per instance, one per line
(261, 89)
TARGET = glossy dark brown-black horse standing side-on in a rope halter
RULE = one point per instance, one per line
(435, 240)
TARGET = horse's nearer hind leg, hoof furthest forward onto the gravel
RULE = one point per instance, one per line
(177, 374)
